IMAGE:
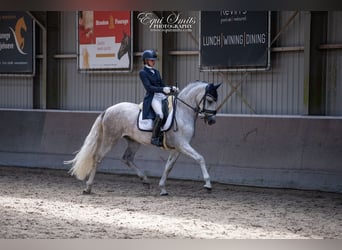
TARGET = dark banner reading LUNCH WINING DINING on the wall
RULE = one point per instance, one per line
(232, 40)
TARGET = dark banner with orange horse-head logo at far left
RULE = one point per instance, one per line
(16, 43)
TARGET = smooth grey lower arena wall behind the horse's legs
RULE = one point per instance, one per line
(267, 151)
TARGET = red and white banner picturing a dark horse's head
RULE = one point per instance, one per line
(104, 40)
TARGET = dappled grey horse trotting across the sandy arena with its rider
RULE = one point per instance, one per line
(120, 120)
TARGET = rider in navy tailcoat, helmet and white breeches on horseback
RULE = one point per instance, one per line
(156, 92)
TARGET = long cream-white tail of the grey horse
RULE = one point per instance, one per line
(85, 160)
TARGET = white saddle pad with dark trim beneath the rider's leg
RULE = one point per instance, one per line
(168, 110)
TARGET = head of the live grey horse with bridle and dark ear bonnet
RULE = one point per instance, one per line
(208, 103)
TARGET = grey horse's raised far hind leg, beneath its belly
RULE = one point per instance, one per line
(128, 158)
